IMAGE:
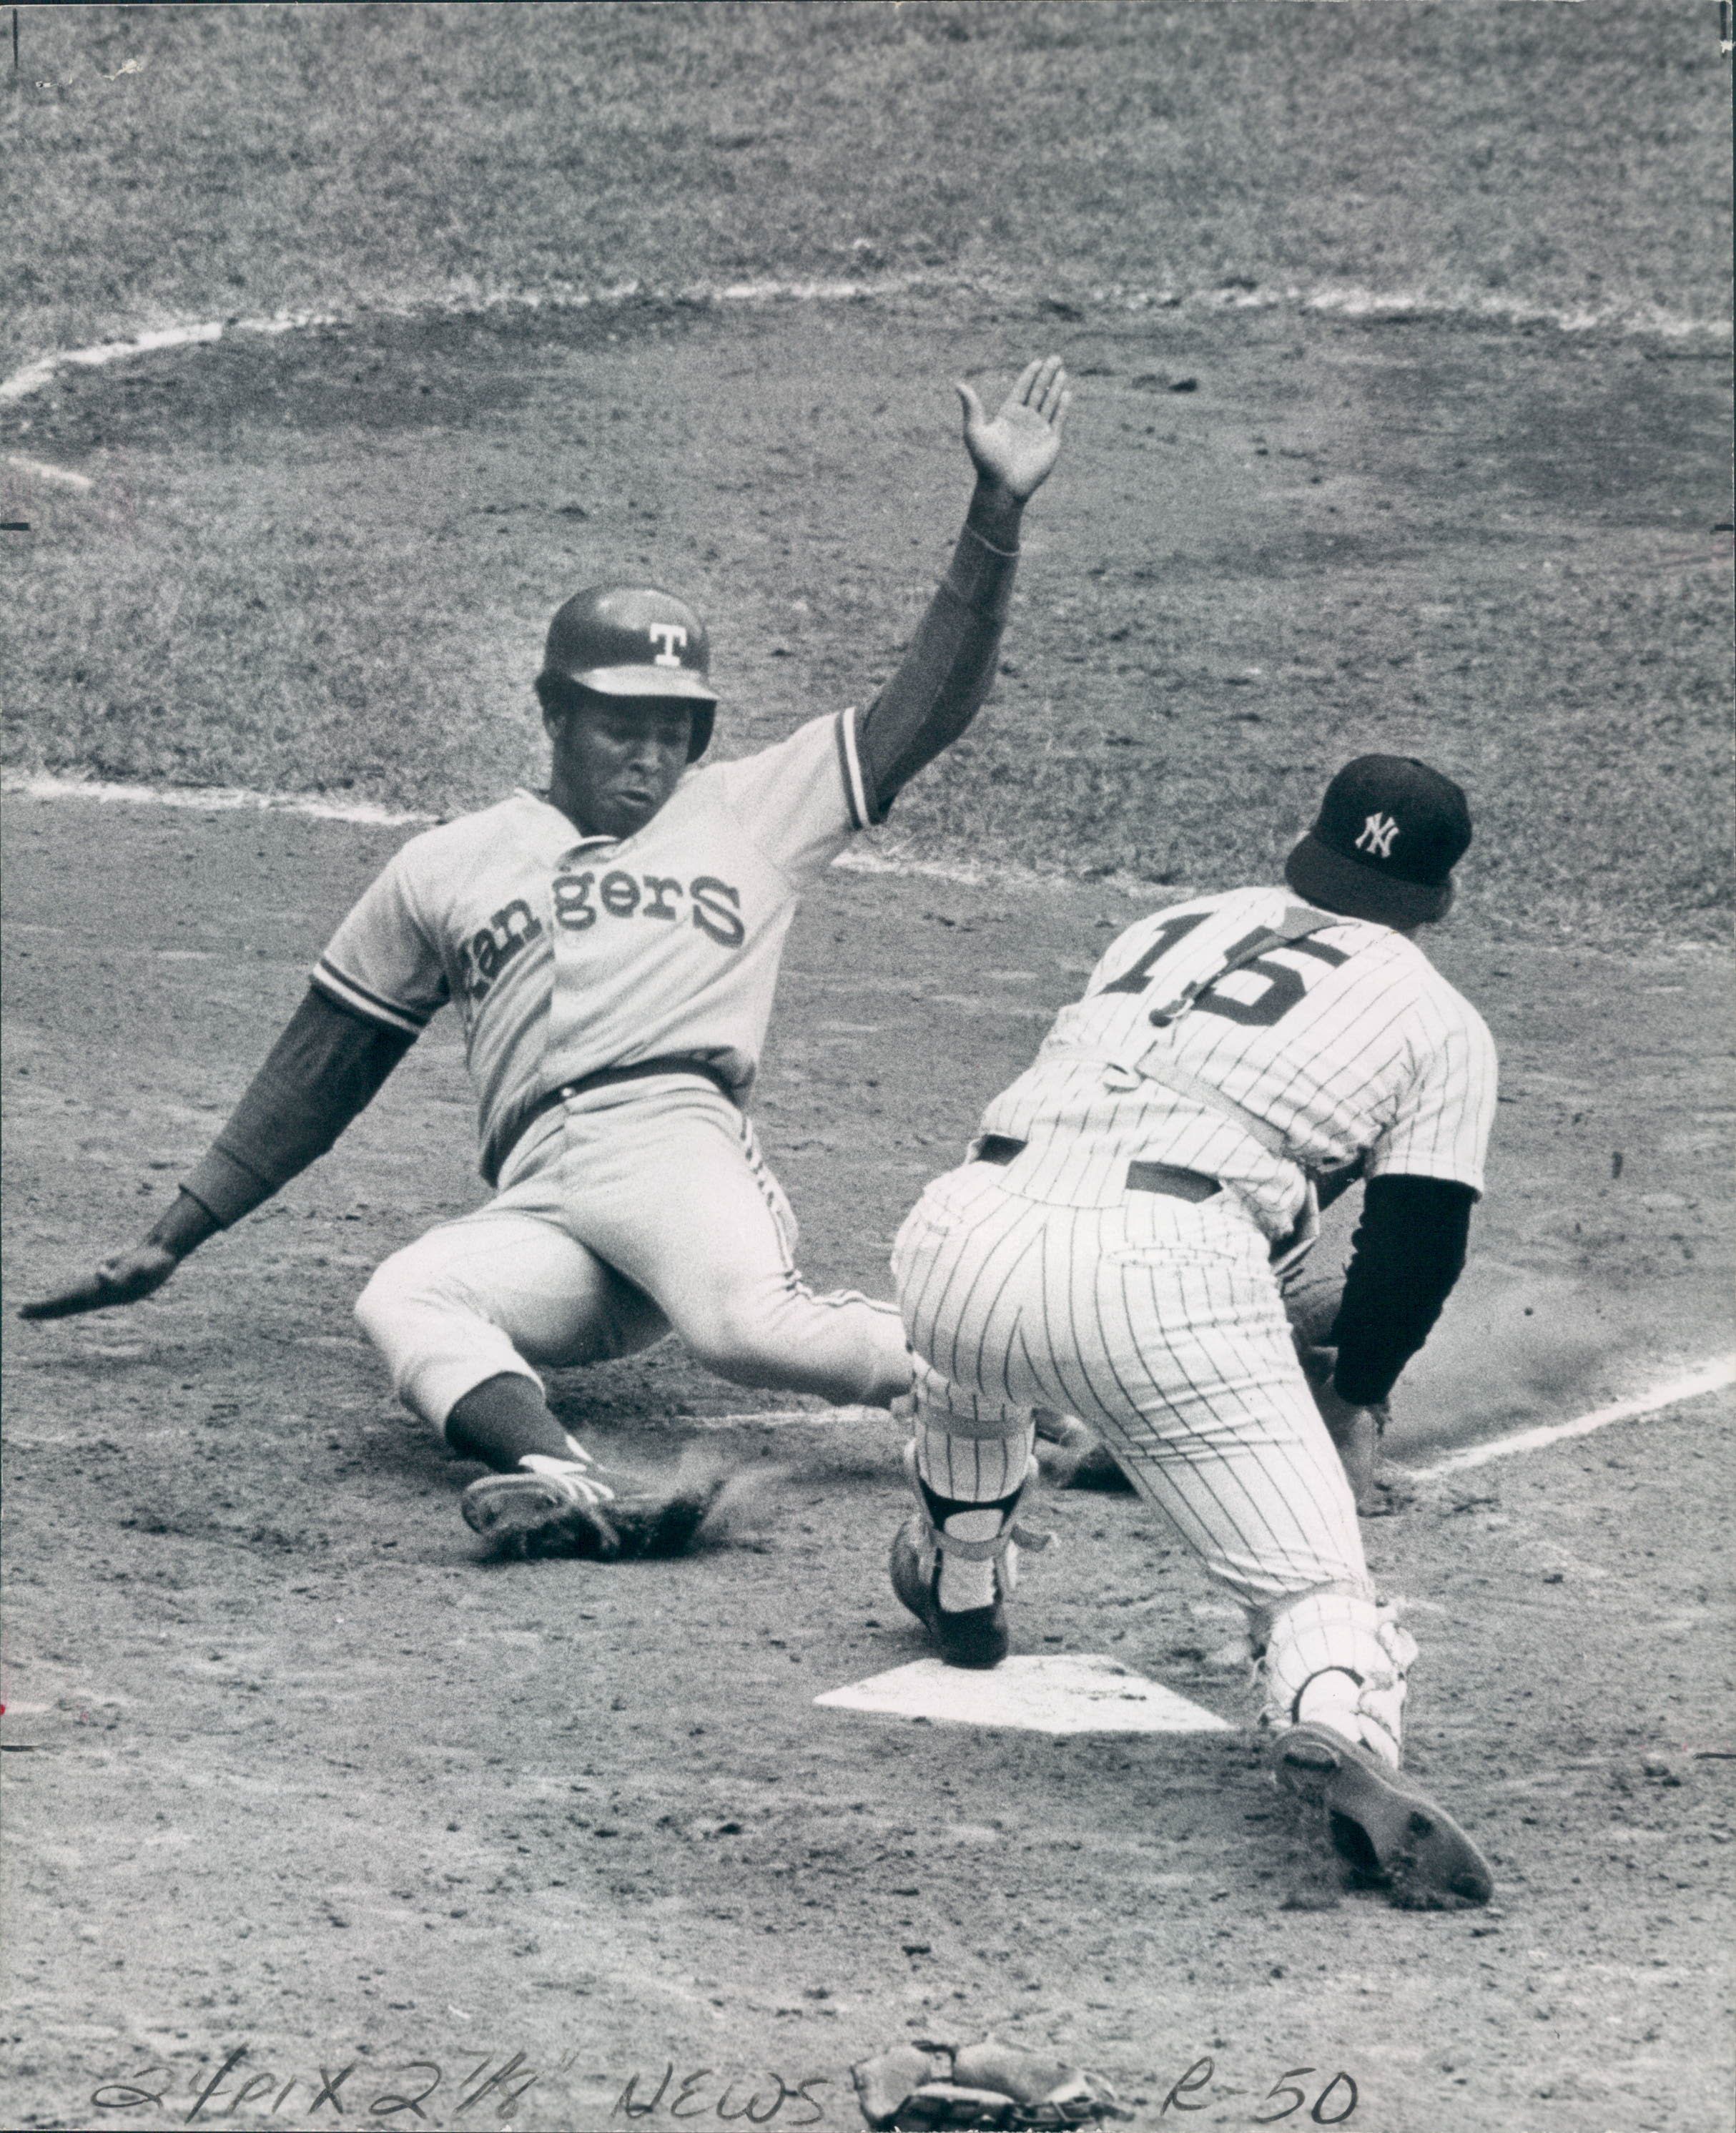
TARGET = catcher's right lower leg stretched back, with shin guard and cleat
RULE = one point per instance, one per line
(1334, 1667)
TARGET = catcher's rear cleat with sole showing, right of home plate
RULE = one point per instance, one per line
(1381, 1823)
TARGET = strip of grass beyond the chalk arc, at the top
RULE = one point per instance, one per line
(195, 163)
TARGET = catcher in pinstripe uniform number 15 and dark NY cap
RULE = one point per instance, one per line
(1114, 1251)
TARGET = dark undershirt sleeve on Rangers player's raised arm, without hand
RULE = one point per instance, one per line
(944, 675)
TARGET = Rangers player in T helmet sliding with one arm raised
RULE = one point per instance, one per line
(611, 948)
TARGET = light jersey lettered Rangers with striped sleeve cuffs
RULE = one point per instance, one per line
(568, 955)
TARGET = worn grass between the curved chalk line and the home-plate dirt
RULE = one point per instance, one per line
(327, 562)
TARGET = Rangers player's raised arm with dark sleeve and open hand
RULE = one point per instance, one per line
(950, 662)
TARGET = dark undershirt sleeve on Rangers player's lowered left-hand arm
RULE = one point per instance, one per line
(325, 1070)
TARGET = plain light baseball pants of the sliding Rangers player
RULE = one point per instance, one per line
(626, 1215)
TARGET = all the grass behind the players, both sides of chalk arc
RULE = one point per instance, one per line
(325, 562)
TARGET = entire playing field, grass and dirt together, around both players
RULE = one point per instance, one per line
(1402, 359)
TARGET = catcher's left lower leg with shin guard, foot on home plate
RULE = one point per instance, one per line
(957, 1560)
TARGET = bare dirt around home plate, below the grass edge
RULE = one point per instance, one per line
(298, 1778)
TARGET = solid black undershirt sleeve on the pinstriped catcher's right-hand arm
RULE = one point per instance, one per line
(1407, 1257)
